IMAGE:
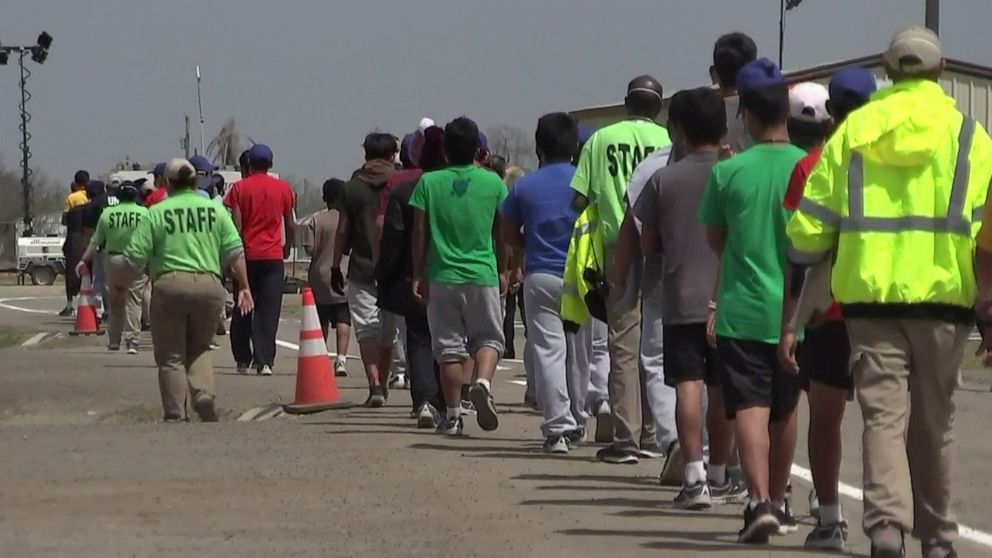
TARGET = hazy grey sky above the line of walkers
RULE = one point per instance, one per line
(311, 77)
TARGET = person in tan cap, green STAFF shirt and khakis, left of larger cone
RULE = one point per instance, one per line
(186, 241)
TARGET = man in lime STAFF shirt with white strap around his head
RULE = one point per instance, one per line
(605, 167)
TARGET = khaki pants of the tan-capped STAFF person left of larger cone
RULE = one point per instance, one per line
(185, 310)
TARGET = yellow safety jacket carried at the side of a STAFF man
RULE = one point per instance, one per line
(585, 258)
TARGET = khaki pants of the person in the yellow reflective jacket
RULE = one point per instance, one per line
(905, 372)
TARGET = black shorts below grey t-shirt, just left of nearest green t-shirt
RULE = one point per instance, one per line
(688, 356)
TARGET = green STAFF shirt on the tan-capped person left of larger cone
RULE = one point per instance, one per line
(185, 232)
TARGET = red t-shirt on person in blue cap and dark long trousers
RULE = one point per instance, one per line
(263, 200)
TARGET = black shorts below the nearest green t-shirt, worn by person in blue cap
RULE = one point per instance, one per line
(751, 377)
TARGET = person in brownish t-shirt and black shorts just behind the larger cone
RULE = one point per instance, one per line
(332, 308)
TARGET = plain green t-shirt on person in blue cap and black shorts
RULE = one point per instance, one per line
(744, 196)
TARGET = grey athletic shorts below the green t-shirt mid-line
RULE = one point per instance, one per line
(463, 319)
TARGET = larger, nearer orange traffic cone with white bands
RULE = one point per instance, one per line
(316, 387)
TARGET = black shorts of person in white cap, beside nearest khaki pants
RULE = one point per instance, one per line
(824, 356)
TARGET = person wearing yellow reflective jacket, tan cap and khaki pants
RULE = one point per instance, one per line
(896, 200)
